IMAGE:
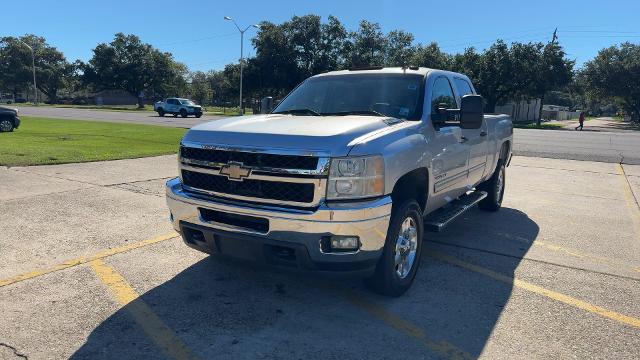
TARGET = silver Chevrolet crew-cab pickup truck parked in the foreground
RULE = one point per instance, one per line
(345, 175)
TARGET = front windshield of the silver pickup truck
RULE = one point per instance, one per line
(394, 95)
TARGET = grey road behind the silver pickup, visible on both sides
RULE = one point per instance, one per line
(605, 146)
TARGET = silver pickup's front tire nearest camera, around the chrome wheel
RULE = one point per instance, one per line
(390, 279)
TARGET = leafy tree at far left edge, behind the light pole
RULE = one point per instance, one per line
(52, 69)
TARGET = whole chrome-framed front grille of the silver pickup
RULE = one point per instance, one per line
(294, 179)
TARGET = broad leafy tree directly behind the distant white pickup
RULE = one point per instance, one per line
(135, 67)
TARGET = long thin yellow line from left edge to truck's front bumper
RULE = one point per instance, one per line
(85, 259)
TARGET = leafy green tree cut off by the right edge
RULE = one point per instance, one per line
(615, 73)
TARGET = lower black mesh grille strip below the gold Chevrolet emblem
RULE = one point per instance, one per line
(270, 190)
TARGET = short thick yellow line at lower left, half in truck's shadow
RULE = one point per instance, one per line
(152, 325)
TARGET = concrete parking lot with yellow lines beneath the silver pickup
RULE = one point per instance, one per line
(92, 269)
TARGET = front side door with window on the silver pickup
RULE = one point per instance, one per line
(449, 166)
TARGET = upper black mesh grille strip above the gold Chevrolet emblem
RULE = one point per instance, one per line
(250, 159)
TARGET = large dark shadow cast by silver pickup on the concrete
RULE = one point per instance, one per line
(224, 309)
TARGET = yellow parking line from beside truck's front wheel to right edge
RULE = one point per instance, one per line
(566, 299)
